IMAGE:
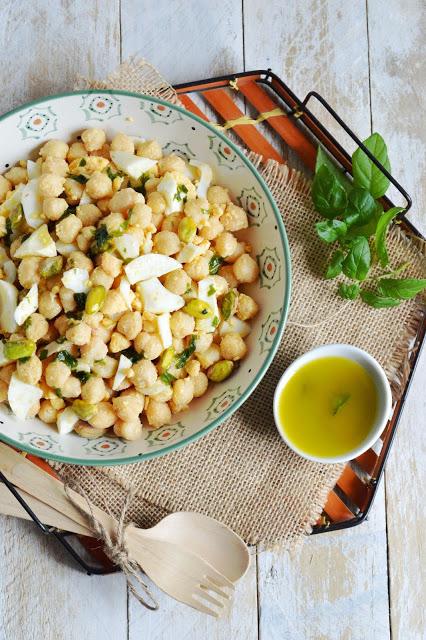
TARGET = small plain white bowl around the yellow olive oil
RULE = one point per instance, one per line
(384, 395)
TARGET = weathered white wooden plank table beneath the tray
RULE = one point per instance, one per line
(367, 57)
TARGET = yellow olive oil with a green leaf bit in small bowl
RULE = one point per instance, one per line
(328, 407)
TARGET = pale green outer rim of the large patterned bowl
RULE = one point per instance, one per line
(284, 313)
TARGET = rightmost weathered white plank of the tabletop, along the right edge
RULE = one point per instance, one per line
(398, 92)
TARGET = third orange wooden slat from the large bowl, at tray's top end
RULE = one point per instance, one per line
(283, 125)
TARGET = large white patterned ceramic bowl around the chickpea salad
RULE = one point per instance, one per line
(24, 130)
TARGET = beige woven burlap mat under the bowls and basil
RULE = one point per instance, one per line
(242, 473)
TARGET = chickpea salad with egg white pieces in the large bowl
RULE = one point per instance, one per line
(121, 275)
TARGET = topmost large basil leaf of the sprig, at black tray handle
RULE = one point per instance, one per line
(365, 172)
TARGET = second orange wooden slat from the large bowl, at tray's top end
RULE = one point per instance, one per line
(225, 107)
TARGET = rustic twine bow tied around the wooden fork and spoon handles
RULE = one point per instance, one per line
(115, 548)
